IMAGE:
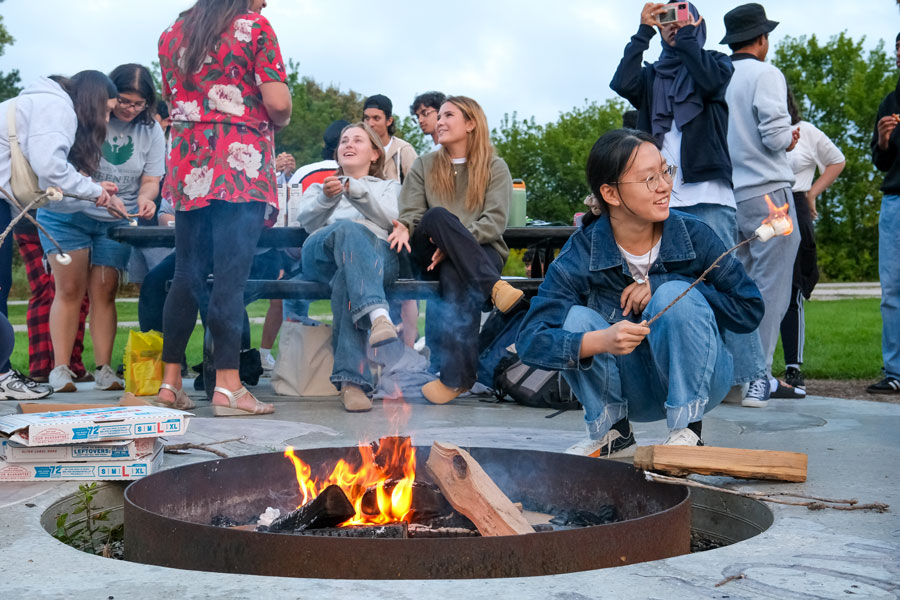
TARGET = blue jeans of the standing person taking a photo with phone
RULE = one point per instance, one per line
(745, 348)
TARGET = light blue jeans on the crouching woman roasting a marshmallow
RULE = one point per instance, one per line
(680, 371)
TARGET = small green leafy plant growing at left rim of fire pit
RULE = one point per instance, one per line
(90, 532)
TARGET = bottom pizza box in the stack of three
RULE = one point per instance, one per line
(83, 471)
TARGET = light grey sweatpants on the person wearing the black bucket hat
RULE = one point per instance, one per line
(770, 264)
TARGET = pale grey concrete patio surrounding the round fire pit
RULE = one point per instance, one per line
(853, 448)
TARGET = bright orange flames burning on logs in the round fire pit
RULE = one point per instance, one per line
(389, 469)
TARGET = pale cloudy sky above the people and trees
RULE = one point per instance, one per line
(535, 58)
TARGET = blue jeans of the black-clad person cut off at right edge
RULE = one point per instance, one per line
(889, 273)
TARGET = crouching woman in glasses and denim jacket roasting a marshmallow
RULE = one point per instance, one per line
(589, 319)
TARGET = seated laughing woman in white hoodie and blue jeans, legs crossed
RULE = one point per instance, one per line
(349, 217)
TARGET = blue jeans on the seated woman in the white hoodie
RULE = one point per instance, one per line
(358, 266)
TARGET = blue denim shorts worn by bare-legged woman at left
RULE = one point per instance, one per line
(77, 231)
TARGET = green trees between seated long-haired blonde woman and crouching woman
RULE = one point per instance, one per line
(551, 158)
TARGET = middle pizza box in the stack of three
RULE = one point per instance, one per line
(96, 451)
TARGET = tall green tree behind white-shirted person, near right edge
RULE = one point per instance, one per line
(838, 87)
